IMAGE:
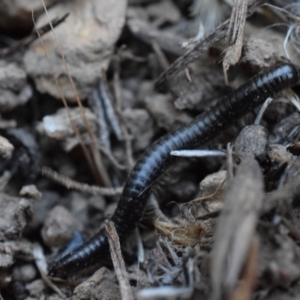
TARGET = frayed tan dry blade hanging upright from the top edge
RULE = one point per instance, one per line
(235, 35)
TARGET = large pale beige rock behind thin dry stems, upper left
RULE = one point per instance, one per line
(87, 40)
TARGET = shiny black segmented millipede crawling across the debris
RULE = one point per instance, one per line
(157, 159)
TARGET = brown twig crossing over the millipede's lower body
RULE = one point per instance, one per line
(118, 262)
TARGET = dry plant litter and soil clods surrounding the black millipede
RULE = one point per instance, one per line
(86, 87)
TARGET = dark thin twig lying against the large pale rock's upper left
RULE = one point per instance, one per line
(37, 33)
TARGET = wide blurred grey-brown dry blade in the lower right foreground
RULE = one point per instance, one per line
(235, 228)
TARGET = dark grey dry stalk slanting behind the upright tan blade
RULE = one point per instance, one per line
(182, 62)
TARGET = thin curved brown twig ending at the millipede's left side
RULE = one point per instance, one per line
(72, 184)
